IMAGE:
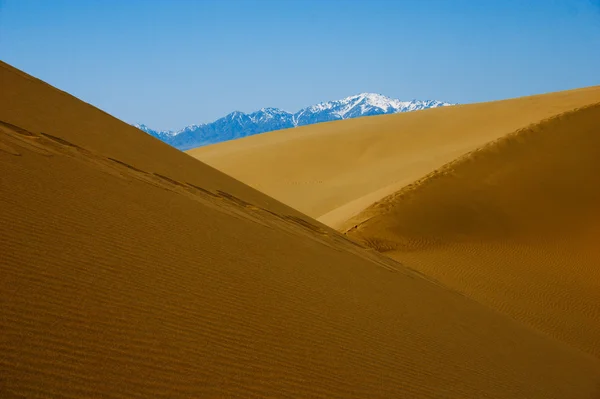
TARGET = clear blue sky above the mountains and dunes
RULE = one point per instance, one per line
(170, 63)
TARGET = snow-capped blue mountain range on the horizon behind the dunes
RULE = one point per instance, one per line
(238, 124)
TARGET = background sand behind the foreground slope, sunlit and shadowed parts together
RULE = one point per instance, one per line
(499, 200)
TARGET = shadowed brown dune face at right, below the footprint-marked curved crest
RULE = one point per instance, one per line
(514, 225)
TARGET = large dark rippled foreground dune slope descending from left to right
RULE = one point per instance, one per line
(131, 270)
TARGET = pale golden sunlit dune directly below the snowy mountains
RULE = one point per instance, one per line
(332, 171)
